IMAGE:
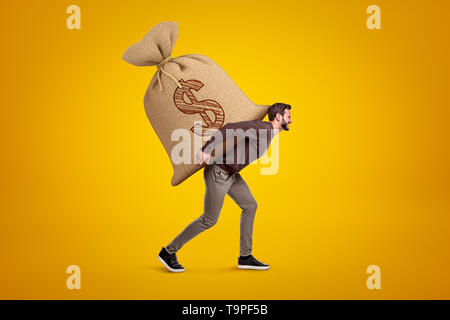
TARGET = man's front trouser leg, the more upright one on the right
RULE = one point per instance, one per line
(241, 194)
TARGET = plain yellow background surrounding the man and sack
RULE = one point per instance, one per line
(364, 170)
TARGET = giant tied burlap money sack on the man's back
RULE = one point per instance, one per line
(185, 89)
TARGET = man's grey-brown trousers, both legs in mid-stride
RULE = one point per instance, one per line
(218, 183)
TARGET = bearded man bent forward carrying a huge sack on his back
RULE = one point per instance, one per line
(222, 177)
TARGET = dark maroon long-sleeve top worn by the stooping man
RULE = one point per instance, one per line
(247, 141)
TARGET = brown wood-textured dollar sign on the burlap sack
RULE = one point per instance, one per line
(199, 107)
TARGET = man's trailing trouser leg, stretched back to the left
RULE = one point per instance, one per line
(216, 187)
